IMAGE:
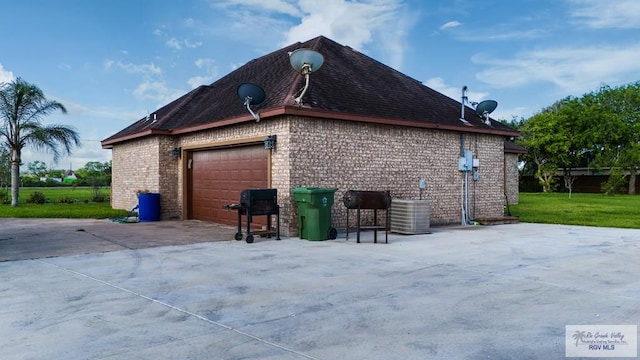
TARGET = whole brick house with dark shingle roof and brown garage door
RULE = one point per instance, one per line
(361, 125)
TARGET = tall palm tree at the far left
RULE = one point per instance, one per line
(22, 107)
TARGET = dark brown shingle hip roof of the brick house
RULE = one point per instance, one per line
(348, 84)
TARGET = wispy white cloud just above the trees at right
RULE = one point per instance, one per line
(574, 70)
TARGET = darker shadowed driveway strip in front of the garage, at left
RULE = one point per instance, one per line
(22, 239)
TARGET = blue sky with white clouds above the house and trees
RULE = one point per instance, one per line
(110, 62)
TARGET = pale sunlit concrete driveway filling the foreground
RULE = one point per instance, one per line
(498, 292)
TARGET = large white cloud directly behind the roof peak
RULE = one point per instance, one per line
(353, 23)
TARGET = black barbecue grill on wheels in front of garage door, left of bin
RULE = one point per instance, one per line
(254, 202)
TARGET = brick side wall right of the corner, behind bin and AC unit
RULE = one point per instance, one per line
(356, 156)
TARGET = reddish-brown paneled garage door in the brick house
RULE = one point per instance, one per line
(216, 178)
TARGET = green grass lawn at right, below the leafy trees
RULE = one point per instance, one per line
(622, 211)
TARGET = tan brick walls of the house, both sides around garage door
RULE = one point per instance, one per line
(327, 153)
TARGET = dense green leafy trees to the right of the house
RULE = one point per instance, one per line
(599, 130)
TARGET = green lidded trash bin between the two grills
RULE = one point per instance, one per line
(314, 213)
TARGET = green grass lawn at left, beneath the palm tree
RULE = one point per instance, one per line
(76, 204)
